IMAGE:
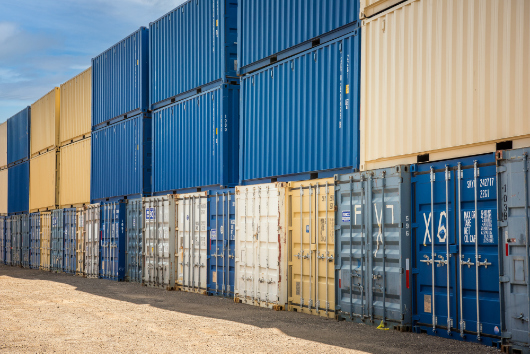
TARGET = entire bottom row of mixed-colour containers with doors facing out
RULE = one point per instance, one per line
(441, 248)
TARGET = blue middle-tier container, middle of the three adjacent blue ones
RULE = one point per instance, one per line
(195, 141)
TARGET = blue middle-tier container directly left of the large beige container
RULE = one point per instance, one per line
(302, 115)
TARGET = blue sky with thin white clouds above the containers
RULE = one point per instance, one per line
(44, 43)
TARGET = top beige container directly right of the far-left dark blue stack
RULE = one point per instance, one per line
(45, 118)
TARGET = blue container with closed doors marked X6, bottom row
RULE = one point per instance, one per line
(456, 277)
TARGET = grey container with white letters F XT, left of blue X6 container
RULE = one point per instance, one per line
(373, 247)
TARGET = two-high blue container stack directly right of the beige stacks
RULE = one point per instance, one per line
(121, 124)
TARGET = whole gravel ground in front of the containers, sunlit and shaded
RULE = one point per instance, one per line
(45, 312)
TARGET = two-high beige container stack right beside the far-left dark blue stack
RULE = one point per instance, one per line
(45, 115)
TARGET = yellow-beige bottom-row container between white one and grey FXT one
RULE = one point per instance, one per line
(310, 211)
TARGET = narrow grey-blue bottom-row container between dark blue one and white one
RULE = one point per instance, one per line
(134, 241)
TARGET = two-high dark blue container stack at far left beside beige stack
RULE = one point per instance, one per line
(18, 152)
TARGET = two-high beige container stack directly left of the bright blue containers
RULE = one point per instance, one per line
(75, 140)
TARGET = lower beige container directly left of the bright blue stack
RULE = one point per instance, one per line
(74, 173)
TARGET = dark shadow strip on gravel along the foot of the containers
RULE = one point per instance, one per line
(312, 328)
